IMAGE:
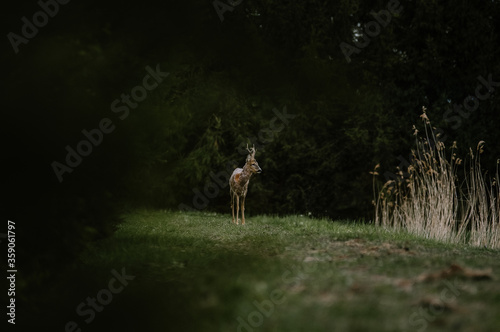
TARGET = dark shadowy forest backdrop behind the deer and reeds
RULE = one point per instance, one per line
(225, 78)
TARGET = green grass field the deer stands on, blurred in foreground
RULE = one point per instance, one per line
(199, 272)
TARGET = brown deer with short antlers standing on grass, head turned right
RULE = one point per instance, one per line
(238, 183)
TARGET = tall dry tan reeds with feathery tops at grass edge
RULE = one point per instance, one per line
(443, 198)
